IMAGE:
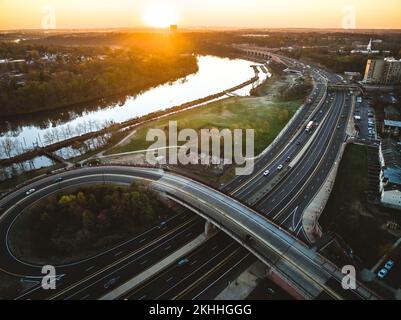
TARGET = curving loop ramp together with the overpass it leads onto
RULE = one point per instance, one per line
(291, 264)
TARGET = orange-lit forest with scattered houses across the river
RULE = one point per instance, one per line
(71, 76)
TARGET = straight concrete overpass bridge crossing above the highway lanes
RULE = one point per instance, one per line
(303, 272)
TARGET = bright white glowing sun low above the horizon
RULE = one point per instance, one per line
(160, 14)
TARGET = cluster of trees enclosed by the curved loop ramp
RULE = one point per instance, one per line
(87, 219)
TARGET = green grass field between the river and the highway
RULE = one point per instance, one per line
(266, 116)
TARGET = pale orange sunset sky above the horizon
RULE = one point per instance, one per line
(30, 14)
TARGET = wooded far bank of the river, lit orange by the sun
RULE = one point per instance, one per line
(60, 85)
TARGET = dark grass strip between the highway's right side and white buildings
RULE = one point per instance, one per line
(348, 214)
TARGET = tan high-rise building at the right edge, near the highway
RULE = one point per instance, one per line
(384, 72)
